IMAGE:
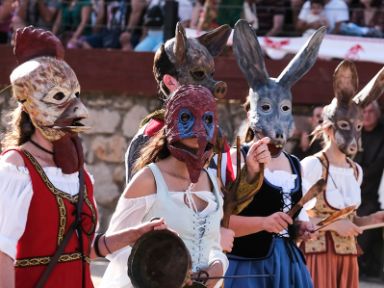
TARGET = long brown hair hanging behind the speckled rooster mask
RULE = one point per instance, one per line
(20, 130)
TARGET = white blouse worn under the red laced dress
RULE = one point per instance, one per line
(15, 197)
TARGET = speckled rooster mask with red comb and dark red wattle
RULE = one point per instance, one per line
(48, 90)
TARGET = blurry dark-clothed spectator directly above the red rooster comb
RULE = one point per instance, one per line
(38, 13)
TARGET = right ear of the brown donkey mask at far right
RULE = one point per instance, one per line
(373, 90)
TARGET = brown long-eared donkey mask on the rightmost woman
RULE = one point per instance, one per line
(345, 112)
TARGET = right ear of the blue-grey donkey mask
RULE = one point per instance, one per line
(303, 61)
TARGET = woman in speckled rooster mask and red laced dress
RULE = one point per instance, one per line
(47, 210)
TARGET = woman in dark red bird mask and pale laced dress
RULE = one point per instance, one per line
(172, 182)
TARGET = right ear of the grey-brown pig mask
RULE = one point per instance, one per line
(216, 39)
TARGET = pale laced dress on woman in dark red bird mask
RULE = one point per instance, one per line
(203, 244)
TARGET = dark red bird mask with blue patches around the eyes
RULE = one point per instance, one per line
(191, 113)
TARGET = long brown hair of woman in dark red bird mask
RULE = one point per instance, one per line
(154, 150)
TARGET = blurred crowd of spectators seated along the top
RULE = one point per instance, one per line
(138, 24)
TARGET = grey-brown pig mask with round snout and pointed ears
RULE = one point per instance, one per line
(193, 57)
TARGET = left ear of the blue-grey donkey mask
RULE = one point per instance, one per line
(249, 55)
